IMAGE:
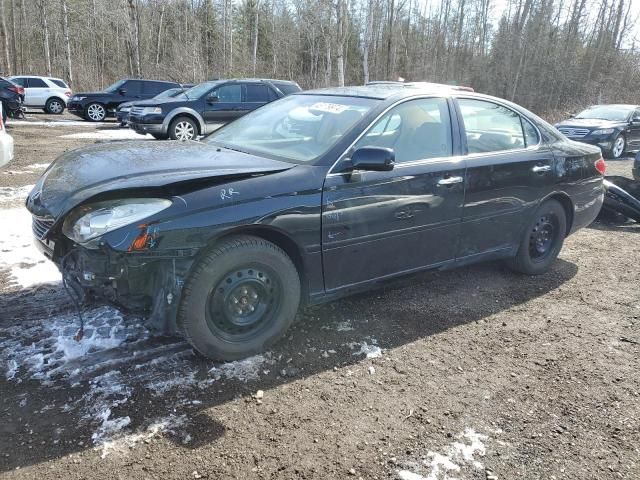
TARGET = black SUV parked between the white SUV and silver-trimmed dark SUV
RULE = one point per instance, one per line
(96, 106)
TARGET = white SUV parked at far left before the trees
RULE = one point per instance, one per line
(48, 93)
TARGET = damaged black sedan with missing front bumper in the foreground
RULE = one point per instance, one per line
(312, 197)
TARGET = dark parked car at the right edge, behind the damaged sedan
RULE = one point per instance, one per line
(614, 128)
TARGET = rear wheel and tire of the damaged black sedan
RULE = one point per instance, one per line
(542, 240)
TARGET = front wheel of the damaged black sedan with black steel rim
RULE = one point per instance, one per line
(240, 298)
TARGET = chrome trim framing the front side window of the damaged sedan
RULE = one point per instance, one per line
(455, 129)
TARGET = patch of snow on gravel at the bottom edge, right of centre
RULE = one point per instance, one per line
(456, 457)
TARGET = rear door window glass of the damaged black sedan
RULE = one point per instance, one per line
(490, 127)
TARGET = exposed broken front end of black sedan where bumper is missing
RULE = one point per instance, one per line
(136, 280)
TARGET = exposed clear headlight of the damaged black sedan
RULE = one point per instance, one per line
(91, 221)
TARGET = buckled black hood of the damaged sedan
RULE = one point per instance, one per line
(81, 174)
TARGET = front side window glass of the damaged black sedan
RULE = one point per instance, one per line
(415, 130)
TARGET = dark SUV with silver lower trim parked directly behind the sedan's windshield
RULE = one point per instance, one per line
(204, 107)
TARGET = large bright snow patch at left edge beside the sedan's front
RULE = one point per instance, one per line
(27, 265)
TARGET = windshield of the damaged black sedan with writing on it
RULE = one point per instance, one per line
(298, 128)
